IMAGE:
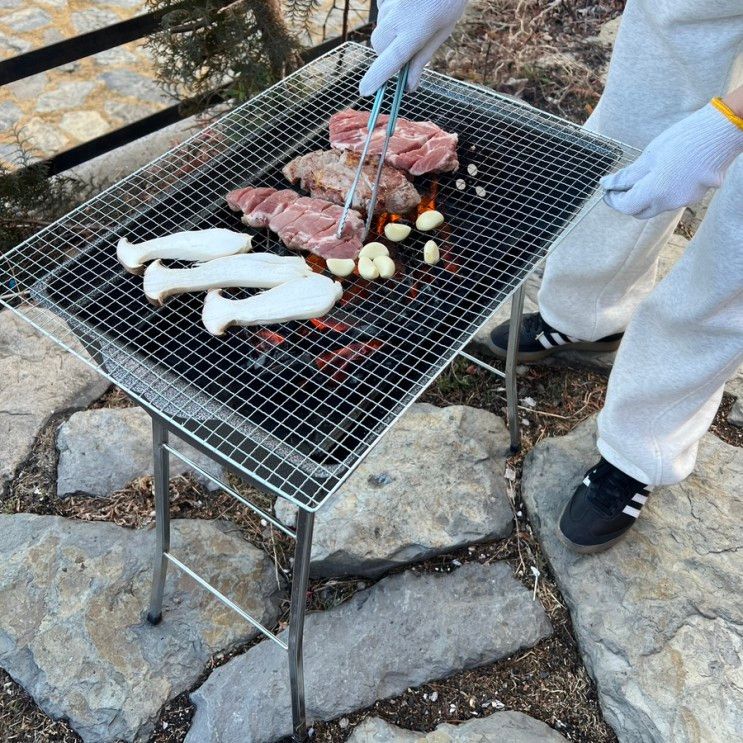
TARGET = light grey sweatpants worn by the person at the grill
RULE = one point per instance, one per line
(684, 337)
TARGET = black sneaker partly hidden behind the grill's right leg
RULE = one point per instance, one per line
(538, 340)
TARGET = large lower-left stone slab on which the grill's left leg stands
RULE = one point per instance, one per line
(72, 633)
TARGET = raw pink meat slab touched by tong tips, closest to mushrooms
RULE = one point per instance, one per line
(301, 222)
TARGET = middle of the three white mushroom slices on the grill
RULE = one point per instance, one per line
(254, 270)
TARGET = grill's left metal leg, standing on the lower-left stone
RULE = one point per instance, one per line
(162, 519)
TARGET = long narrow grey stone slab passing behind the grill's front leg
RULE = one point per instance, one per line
(404, 631)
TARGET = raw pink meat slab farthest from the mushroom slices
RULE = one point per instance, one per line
(417, 147)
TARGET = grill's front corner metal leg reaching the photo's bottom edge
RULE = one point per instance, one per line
(305, 522)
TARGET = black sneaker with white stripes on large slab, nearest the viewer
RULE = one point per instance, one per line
(603, 507)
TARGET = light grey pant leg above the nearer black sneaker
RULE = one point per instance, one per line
(683, 343)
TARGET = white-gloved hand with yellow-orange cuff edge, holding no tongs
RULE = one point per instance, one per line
(679, 166)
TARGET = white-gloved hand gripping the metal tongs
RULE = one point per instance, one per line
(409, 31)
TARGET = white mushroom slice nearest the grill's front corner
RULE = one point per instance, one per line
(300, 299)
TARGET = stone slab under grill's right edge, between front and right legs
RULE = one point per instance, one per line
(435, 482)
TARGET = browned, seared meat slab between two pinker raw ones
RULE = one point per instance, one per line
(329, 174)
